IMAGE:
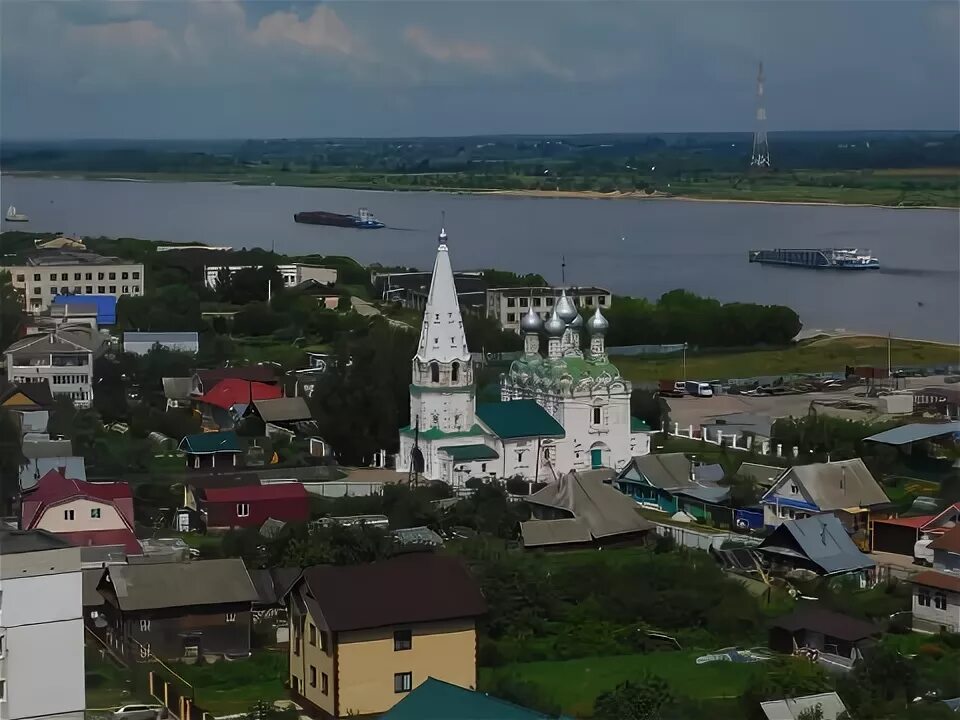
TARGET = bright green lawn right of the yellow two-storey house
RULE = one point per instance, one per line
(575, 684)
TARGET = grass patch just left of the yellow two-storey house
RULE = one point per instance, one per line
(226, 688)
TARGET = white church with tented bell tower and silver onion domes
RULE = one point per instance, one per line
(561, 409)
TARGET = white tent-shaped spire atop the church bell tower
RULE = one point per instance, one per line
(442, 338)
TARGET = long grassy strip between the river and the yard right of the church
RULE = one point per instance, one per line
(808, 356)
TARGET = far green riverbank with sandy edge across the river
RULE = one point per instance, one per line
(756, 191)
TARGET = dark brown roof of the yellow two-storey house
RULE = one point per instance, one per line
(405, 589)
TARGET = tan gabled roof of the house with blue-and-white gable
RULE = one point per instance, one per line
(835, 485)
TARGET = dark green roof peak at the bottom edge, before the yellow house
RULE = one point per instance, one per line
(437, 700)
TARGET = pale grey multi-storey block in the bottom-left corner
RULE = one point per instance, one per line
(41, 627)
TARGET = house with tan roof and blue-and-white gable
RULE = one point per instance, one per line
(845, 488)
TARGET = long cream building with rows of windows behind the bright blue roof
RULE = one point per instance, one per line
(61, 271)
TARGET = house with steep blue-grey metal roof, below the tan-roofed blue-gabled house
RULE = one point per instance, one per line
(819, 544)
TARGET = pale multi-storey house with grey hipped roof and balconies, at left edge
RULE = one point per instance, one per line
(62, 357)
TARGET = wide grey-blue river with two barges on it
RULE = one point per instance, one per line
(634, 247)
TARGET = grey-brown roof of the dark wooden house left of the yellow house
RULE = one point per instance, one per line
(181, 584)
